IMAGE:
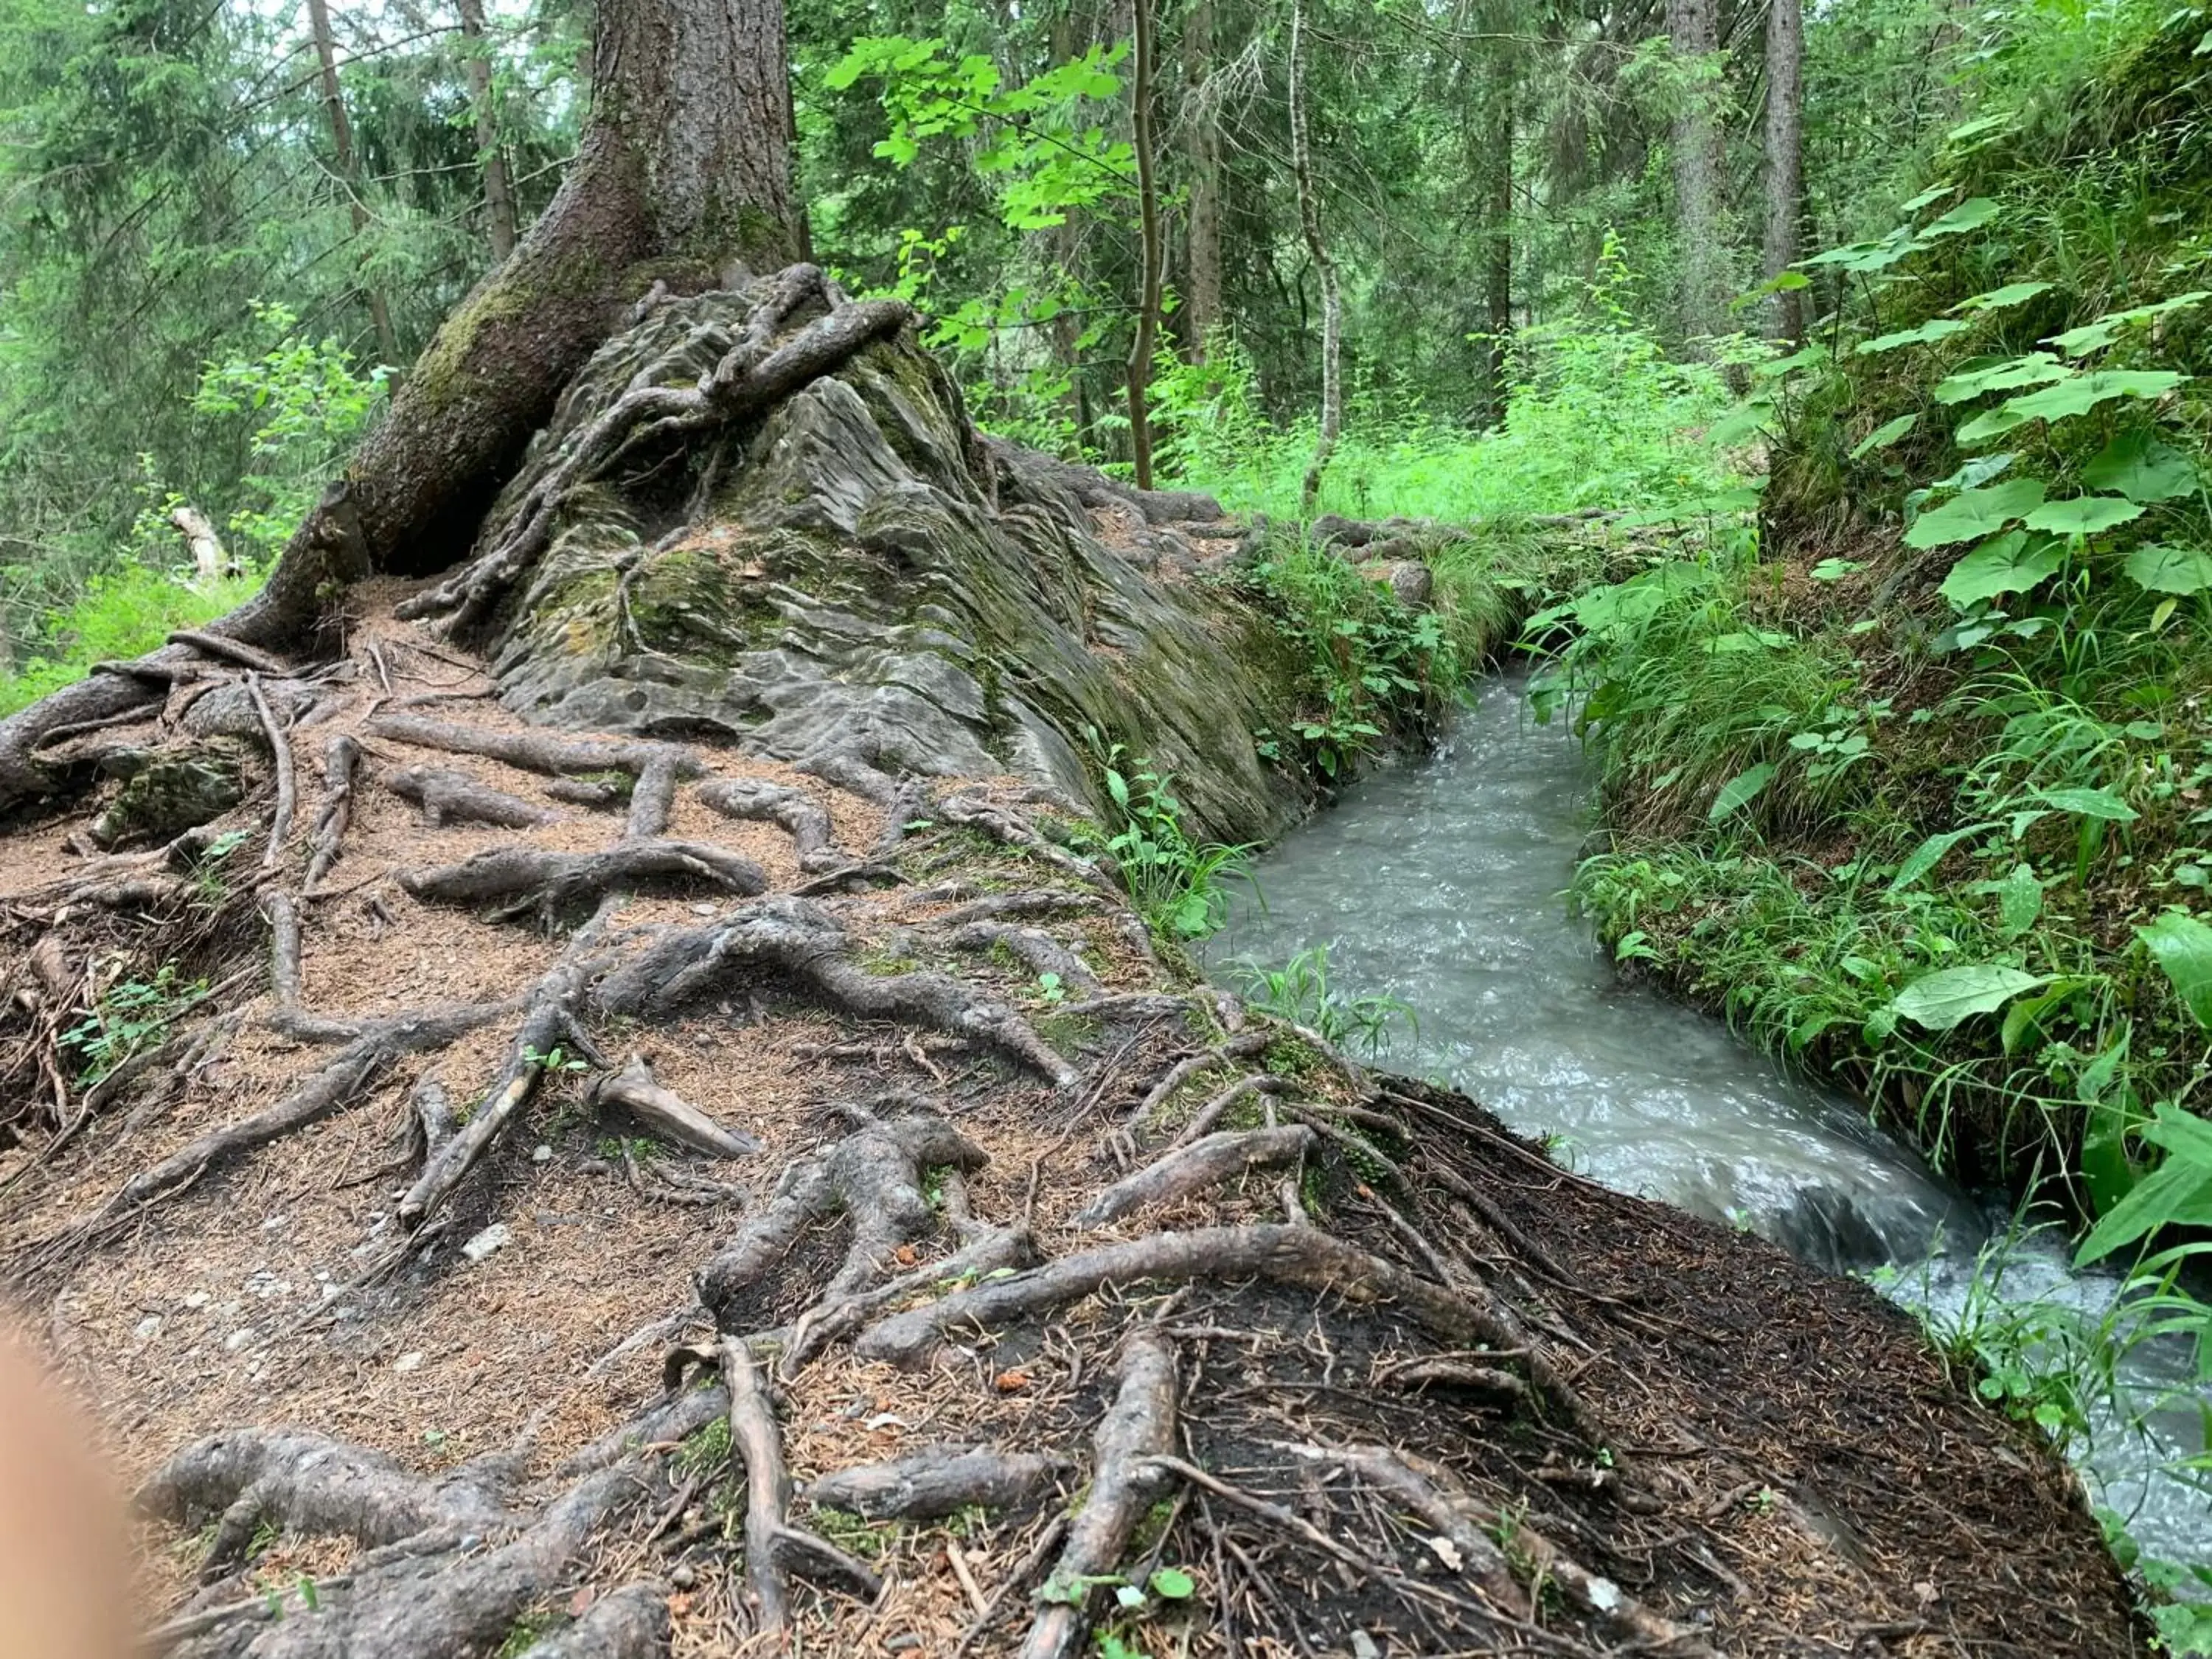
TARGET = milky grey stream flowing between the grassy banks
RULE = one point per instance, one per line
(1441, 881)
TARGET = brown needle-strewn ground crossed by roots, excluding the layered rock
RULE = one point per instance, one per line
(1503, 1412)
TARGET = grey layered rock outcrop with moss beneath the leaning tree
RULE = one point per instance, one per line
(859, 574)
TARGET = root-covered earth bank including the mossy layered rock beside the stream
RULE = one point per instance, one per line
(629, 1185)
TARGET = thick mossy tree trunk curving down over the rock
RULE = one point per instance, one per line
(685, 169)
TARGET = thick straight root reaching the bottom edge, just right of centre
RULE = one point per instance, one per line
(1125, 1481)
